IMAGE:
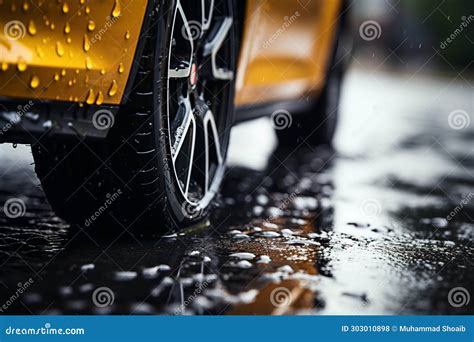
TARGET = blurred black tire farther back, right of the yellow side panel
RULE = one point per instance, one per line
(317, 126)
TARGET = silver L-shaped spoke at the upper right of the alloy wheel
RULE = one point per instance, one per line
(215, 44)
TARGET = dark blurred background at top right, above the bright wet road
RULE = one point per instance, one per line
(434, 36)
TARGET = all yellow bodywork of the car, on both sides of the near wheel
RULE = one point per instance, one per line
(83, 51)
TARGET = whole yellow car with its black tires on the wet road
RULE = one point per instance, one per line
(128, 104)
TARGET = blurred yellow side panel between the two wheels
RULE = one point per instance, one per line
(286, 49)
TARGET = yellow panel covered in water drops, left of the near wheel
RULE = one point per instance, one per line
(80, 50)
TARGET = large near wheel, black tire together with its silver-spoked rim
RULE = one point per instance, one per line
(137, 174)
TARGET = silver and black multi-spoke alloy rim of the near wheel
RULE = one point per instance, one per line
(198, 83)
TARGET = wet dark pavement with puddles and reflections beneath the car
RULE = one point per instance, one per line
(383, 224)
